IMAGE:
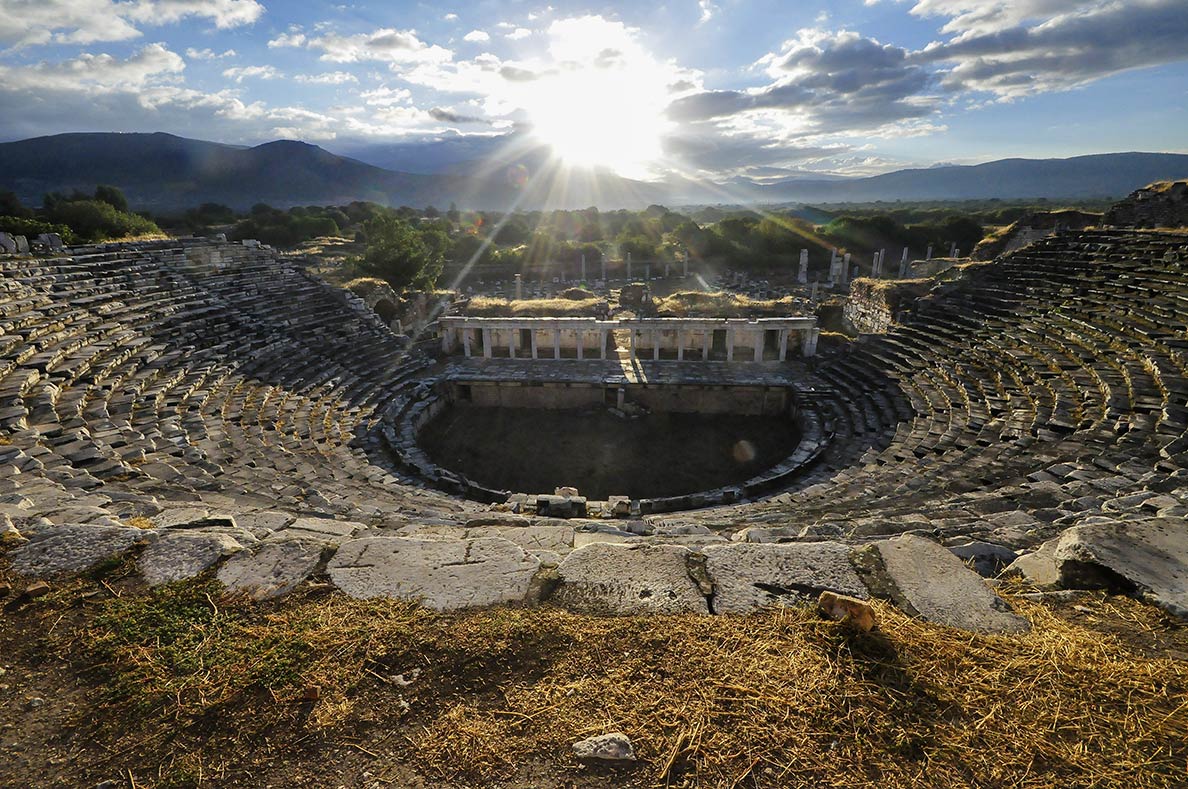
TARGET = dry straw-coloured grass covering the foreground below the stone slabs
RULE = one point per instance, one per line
(211, 686)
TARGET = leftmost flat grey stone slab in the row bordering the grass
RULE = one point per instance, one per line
(74, 548)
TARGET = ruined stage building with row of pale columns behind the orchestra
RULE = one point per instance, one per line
(679, 339)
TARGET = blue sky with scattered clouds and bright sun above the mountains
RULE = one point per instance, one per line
(698, 89)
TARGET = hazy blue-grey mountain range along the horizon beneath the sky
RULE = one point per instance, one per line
(163, 173)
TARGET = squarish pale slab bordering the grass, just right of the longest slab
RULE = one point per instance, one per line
(628, 579)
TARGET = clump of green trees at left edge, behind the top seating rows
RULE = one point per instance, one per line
(79, 218)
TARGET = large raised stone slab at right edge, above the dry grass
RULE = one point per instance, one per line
(1151, 557)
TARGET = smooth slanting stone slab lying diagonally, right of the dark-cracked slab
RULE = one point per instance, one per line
(926, 580)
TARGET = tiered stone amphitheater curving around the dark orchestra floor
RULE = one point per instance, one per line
(213, 408)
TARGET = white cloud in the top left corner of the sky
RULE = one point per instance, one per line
(24, 23)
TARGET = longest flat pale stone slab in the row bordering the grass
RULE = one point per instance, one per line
(441, 575)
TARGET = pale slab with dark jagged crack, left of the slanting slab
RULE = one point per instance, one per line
(754, 576)
